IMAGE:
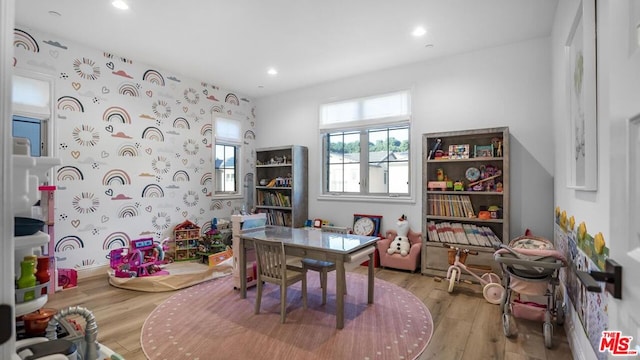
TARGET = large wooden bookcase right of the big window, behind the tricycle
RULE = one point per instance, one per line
(465, 199)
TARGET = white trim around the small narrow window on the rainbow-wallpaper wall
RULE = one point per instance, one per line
(228, 141)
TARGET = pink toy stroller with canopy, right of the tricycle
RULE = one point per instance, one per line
(531, 267)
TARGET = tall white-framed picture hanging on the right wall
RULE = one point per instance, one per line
(580, 54)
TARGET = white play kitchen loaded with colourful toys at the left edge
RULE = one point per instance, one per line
(29, 330)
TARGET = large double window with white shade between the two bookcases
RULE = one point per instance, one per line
(366, 146)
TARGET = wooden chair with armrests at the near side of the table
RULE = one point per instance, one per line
(272, 267)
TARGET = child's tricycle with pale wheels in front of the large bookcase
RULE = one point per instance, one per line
(492, 290)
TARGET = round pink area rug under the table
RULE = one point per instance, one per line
(210, 321)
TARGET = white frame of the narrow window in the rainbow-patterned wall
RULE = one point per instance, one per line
(236, 142)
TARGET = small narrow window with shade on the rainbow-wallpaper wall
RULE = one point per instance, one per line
(228, 140)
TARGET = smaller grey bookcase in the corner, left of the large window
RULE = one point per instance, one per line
(281, 188)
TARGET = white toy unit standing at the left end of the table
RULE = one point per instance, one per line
(242, 224)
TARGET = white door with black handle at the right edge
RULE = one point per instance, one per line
(624, 108)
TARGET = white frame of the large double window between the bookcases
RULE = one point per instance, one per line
(363, 127)
